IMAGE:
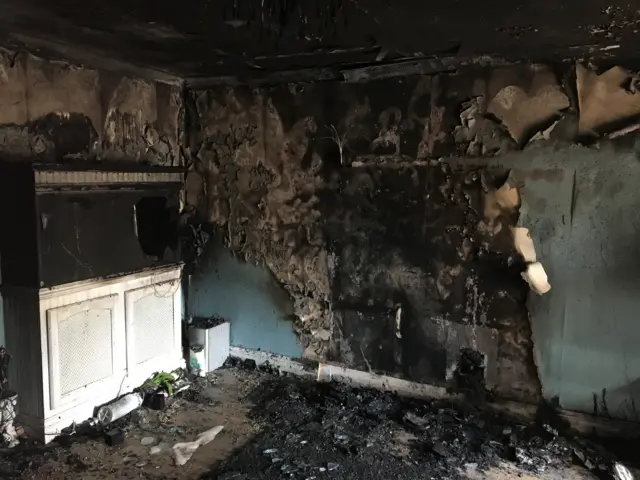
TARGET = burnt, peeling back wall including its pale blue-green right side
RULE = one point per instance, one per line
(392, 259)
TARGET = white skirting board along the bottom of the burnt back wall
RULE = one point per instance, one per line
(324, 372)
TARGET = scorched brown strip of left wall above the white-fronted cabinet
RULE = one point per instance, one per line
(53, 111)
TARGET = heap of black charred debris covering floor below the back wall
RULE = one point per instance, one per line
(315, 429)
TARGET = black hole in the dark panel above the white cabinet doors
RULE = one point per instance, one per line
(155, 226)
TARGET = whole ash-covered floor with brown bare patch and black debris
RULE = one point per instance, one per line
(278, 427)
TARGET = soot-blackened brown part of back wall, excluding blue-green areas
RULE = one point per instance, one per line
(386, 251)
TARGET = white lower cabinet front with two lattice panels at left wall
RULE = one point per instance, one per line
(104, 338)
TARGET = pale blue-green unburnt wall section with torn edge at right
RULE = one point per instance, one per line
(581, 206)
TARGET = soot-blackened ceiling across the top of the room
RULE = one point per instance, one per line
(248, 38)
